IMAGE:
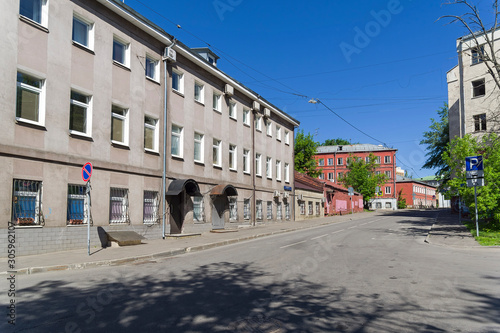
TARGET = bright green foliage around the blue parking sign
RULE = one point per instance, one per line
(488, 198)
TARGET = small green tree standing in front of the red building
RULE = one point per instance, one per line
(362, 177)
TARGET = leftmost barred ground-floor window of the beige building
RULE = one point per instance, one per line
(27, 202)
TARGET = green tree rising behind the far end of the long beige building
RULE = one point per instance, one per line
(305, 149)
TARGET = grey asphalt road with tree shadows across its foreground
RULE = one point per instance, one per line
(369, 275)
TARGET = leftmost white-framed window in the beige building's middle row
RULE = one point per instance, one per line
(30, 105)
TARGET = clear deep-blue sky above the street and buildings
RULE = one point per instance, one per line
(380, 65)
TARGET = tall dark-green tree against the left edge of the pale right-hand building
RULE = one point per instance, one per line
(437, 139)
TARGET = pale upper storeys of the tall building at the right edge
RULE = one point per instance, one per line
(473, 95)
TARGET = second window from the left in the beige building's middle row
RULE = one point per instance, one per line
(80, 113)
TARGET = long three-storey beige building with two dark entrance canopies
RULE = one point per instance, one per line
(94, 81)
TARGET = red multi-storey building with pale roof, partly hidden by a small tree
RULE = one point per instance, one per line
(333, 161)
